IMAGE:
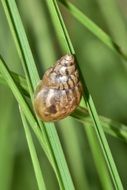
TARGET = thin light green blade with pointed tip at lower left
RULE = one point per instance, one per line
(35, 161)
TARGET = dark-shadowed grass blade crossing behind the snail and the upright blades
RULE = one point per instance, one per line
(111, 127)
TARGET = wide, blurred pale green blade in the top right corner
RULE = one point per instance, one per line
(116, 25)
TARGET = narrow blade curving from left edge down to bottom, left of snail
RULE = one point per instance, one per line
(30, 117)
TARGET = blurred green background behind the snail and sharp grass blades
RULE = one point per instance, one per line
(106, 76)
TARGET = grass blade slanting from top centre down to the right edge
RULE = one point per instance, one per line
(93, 28)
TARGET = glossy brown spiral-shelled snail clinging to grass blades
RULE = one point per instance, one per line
(59, 92)
